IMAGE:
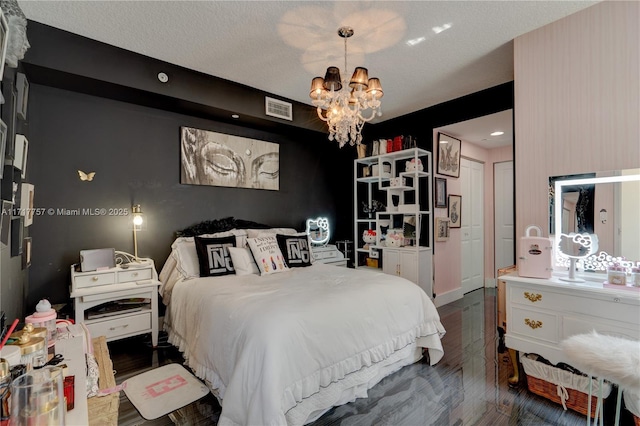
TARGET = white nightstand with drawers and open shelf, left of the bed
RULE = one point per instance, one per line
(124, 283)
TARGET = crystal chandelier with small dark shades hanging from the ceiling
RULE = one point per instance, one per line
(346, 106)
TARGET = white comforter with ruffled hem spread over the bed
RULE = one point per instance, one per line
(266, 344)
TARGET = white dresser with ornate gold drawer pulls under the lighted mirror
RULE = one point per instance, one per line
(543, 312)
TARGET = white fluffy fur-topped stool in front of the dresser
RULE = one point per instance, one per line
(605, 357)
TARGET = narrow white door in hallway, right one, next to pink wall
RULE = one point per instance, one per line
(504, 217)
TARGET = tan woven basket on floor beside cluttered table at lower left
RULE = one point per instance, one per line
(103, 410)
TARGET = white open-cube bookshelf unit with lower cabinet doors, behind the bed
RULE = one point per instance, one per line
(407, 195)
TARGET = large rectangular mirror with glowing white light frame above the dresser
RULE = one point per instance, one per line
(605, 205)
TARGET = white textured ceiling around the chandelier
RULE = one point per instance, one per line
(279, 46)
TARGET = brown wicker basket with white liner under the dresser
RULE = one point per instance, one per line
(543, 380)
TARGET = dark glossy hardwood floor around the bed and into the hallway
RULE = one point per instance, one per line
(467, 387)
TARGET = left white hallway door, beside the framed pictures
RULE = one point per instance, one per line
(472, 224)
